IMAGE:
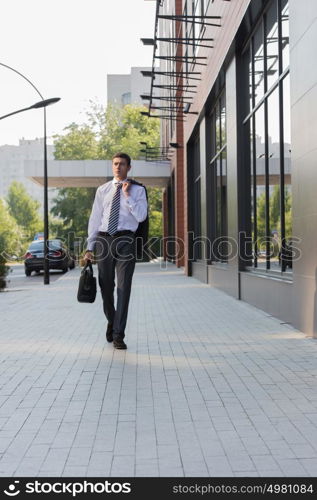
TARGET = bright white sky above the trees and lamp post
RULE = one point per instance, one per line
(66, 48)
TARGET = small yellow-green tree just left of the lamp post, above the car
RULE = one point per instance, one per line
(24, 209)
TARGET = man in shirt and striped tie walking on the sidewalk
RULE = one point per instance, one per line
(118, 208)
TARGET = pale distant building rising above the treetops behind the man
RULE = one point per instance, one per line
(126, 89)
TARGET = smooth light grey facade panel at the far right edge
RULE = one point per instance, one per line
(303, 42)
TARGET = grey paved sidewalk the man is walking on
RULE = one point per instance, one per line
(209, 385)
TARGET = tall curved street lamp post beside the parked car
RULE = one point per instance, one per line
(41, 104)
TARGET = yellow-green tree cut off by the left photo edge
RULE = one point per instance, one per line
(10, 241)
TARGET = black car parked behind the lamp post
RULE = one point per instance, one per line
(59, 257)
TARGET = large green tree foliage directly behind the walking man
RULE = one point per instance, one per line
(106, 131)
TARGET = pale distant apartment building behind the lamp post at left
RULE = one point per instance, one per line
(12, 160)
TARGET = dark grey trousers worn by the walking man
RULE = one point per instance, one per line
(115, 253)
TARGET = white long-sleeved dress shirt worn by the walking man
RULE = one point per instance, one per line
(133, 209)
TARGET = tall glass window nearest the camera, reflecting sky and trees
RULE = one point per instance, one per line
(270, 146)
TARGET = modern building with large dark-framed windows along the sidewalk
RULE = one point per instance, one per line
(249, 148)
